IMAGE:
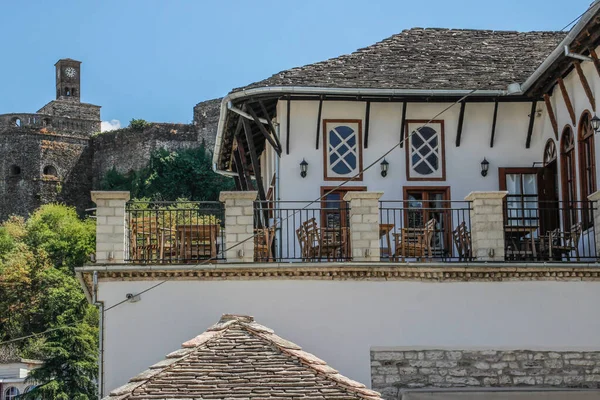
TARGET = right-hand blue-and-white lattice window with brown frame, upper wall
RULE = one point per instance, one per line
(425, 147)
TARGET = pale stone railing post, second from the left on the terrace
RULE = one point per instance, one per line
(239, 225)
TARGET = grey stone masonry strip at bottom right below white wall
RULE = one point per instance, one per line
(392, 370)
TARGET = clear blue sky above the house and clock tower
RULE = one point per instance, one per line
(155, 59)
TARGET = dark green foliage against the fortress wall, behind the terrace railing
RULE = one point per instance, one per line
(172, 175)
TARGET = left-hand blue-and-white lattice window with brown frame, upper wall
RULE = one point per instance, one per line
(343, 148)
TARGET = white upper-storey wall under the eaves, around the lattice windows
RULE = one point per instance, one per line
(462, 163)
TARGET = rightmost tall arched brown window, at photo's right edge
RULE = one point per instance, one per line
(587, 165)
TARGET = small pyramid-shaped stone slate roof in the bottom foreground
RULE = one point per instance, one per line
(238, 358)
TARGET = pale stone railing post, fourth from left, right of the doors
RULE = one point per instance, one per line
(487, 225)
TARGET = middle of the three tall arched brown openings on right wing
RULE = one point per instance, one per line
(567, 166)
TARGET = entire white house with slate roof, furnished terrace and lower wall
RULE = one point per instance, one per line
(420, 213)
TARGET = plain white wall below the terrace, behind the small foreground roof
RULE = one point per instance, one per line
(340, 321)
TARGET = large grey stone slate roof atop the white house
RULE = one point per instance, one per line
(430, 58)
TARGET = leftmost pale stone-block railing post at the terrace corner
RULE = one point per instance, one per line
(110, 226)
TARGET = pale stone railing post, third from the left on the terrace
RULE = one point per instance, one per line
(364, 225)
